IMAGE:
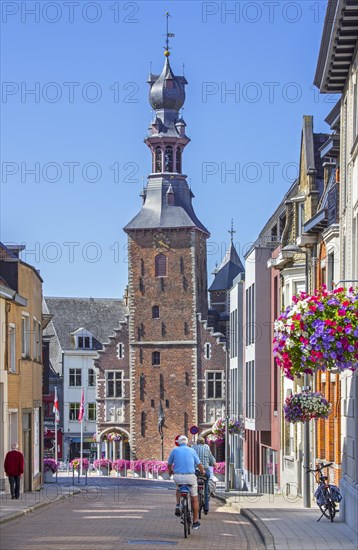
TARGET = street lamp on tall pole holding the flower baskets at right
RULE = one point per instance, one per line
(294, 249)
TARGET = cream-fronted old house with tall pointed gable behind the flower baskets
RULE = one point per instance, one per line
(295, 261)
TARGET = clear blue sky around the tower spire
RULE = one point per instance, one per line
(73, 54)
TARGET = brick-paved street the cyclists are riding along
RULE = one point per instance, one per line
(115, 514)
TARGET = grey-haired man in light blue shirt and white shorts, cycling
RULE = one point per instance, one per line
(183, 461)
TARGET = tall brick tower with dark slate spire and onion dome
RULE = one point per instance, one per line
(167, 283)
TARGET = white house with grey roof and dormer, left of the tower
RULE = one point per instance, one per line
(78, 329)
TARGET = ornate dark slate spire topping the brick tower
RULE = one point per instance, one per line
(167, 140)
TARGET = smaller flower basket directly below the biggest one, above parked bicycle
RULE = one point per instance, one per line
(302, 407)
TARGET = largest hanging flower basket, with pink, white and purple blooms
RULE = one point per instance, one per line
(318, 332)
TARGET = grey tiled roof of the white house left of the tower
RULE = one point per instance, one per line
(100, 316)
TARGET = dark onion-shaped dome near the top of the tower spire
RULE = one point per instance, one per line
(167, 92)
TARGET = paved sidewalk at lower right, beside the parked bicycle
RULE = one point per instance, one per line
(285, 525)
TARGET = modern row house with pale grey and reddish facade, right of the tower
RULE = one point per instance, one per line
(260, 376)
